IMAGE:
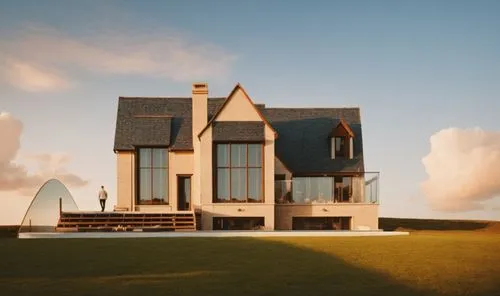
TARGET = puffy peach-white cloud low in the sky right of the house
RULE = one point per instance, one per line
(463, 168)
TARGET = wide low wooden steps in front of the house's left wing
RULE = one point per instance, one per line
(125, 221)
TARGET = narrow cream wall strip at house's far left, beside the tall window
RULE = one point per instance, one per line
(125, 179)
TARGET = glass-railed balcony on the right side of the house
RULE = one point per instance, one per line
(359, 189)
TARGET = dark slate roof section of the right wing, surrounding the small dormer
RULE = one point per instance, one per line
(303, 143)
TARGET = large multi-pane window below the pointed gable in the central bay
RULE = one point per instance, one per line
(239, 175)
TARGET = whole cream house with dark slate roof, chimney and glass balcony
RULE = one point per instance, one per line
(241, 165)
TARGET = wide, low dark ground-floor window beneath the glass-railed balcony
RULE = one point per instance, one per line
(321, 223)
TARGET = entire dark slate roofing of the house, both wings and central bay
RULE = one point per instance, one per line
(303, 133)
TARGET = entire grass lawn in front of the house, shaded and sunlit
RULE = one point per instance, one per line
(425, 263)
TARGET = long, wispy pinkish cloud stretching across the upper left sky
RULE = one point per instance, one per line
(45, 59)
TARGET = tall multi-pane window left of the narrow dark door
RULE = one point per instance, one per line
(152, 176)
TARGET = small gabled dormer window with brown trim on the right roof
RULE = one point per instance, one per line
(342, 144)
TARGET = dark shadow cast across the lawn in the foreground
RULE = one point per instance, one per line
(183, 266)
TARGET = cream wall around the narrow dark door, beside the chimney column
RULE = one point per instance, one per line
(180, 163)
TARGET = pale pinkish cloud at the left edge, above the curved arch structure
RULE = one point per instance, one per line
(15, 177)
